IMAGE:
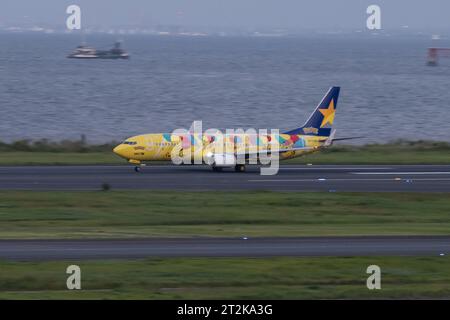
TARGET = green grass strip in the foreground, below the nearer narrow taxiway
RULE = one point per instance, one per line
(230, 278)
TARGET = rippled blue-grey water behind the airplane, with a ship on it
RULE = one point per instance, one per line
(388, 92)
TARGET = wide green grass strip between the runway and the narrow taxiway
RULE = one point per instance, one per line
(124, 214)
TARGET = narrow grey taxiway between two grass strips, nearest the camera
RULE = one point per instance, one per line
(223, 247)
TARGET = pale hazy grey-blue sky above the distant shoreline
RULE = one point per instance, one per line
(307, 14)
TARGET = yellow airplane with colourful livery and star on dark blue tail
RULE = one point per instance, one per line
(315, 134)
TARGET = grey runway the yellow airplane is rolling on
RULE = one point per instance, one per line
(328, 178)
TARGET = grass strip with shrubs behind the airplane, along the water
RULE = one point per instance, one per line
(76, 153)
